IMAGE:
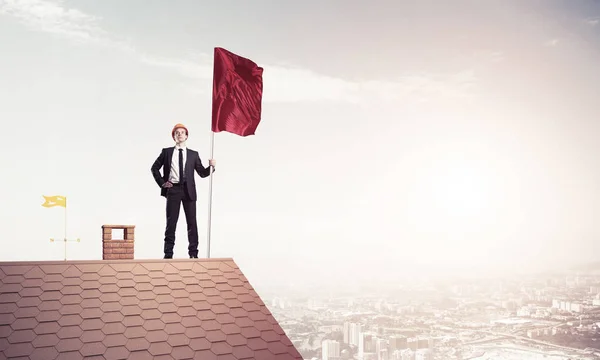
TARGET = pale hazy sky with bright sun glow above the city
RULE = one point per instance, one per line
(397, 136)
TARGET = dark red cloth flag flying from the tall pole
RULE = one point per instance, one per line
(237, 94)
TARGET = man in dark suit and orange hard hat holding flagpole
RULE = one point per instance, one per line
(178, 186)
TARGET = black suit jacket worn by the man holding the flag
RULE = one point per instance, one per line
(192, 163)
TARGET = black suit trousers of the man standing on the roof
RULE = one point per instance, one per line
(176, 196)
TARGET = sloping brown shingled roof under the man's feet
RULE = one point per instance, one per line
(135, 309)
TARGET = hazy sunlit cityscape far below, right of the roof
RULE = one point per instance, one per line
(554, 316)
